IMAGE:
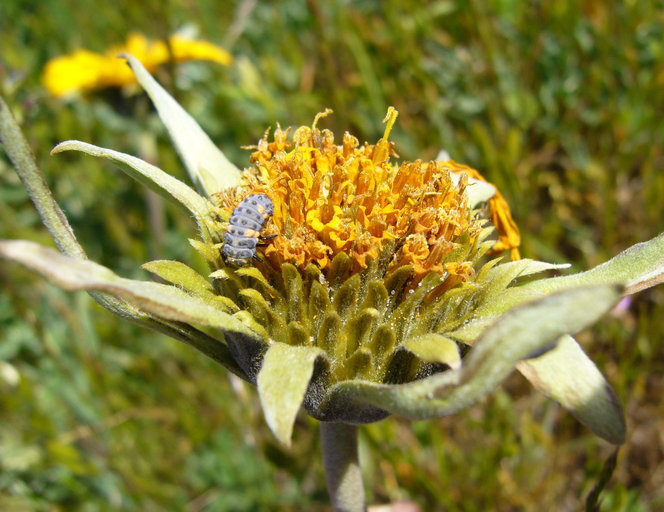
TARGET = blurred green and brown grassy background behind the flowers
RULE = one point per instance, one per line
(559, 103)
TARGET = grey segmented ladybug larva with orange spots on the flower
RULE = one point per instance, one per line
(247, 220)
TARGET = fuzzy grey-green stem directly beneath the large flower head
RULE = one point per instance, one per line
(342, 467)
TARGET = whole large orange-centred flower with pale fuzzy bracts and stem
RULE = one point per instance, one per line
(377, 287)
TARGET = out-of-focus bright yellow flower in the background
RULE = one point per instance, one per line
(85, 70)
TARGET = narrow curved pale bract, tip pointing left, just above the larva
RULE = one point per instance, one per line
(151, 176)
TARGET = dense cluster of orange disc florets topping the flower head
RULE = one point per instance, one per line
(350, 198)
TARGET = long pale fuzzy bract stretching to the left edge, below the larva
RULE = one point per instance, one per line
(163, 301)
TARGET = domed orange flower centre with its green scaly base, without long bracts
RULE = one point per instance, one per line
(361, 253)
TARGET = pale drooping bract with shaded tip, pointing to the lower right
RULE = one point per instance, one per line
(568, 376)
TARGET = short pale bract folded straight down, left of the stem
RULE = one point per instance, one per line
(282, 382)
